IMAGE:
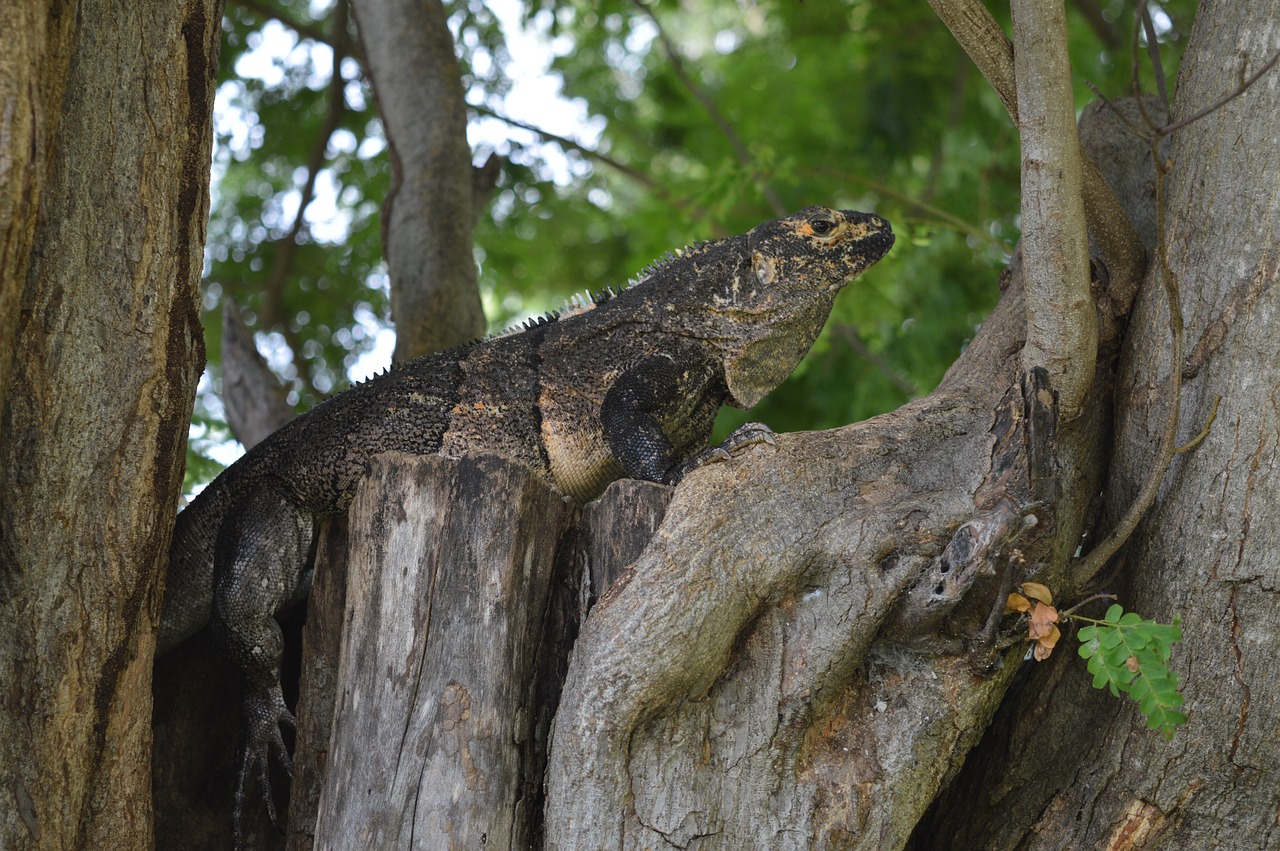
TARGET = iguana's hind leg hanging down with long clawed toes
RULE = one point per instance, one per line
(259, 566)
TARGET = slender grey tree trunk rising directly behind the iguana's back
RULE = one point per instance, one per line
(429, 214)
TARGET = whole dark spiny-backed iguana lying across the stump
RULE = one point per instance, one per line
(623, 385)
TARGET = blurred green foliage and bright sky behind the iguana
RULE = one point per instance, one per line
(628, 130)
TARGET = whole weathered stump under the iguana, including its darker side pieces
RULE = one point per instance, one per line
(463, 597)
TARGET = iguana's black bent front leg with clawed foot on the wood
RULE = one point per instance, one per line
(657, 399)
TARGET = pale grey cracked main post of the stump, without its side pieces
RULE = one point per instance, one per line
(428, 756)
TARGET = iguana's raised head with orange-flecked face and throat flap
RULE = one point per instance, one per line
(775, 304)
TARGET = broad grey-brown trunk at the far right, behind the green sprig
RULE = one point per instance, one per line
(1067, 768)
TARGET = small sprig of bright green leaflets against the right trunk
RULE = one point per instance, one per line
(1130, 655)
